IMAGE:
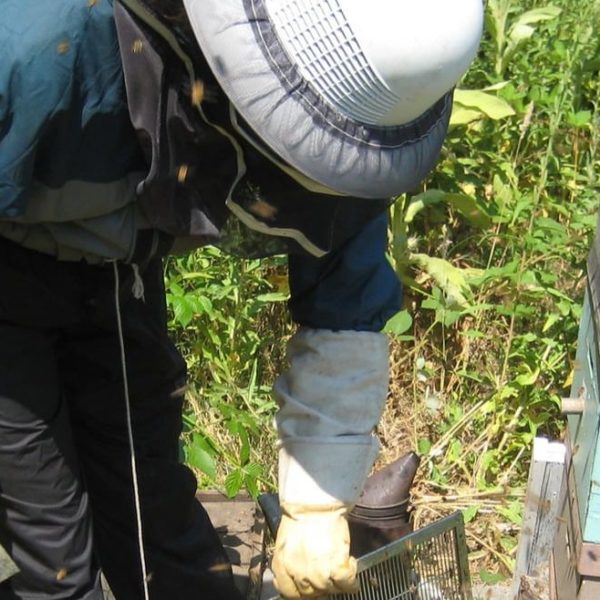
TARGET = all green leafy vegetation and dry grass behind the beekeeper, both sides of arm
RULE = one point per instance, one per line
(492, 254)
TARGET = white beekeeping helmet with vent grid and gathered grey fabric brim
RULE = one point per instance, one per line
(354, 94)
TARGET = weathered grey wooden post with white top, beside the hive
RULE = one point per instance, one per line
(541, 511)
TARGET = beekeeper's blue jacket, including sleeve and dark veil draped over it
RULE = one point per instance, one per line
(103, 158)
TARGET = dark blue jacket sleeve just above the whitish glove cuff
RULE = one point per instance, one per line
(352, 288)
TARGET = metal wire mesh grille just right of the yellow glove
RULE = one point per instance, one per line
(429, 564)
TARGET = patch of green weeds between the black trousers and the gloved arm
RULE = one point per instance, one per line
(229, 319)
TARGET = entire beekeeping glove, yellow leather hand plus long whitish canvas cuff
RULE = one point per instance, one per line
(330, 399)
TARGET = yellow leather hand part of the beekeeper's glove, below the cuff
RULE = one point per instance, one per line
(312, 552)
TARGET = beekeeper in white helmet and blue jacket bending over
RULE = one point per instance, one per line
(134, 128)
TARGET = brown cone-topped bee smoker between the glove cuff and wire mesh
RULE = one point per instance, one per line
(382, 513)
